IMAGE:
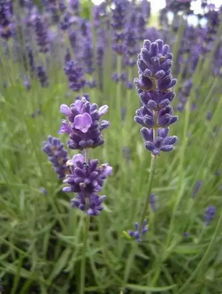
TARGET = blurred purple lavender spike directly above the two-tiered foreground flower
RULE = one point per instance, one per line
(75, 75)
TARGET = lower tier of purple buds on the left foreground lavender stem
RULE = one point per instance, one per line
(86, 178)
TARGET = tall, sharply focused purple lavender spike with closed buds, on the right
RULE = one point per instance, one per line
(154, 87)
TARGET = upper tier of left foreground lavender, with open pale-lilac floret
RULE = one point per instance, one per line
(83, 123)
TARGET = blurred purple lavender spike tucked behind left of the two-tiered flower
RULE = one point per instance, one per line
(57, 155)
